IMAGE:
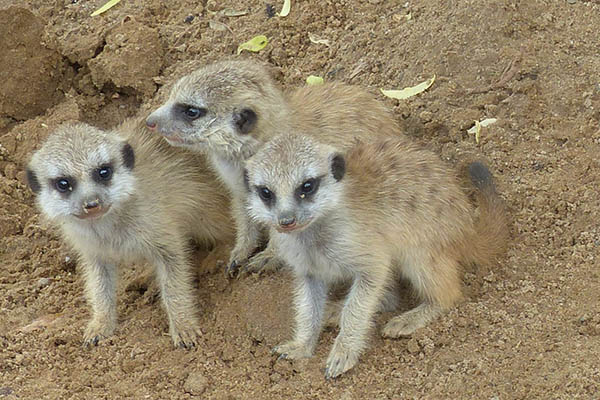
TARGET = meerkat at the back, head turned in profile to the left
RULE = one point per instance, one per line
(229, 109)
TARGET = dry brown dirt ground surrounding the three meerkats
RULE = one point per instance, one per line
(529, 328)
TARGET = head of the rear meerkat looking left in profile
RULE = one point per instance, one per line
(221, 108)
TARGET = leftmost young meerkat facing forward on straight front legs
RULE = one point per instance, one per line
(126, 195)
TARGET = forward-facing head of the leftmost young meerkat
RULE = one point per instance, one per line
(81, 172)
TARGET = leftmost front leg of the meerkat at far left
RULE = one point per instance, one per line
(100, 285)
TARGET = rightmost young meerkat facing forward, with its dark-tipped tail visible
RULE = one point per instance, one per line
(380, 212)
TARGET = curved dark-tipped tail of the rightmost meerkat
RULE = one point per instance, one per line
(491, 226)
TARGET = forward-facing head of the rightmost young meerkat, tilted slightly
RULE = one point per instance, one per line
(293, 181)
